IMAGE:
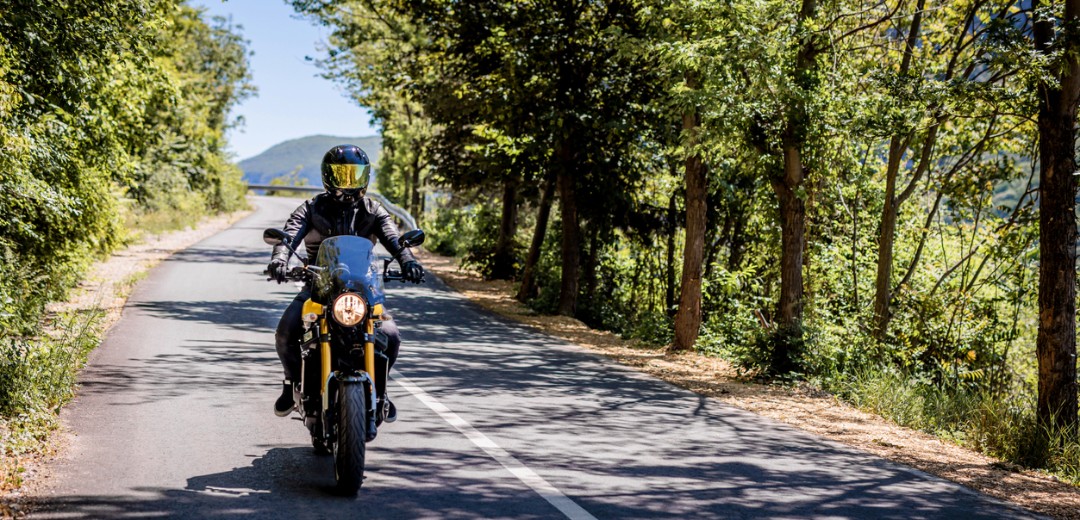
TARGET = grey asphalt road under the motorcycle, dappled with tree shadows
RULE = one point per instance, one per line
(174, 421)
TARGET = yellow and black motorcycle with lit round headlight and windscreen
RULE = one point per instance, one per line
(344, 374)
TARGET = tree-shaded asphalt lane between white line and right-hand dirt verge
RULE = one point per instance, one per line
(625, 445)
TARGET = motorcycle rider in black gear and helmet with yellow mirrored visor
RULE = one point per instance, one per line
(344, 209)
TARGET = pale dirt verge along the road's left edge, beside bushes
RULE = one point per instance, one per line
(103, 291)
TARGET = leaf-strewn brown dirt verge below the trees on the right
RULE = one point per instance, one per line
(804, 408)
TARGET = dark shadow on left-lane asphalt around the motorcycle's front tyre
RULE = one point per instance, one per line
(294, 483)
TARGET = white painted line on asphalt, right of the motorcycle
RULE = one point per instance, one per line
(545, 489)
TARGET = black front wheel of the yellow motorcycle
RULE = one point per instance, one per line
(352, 433)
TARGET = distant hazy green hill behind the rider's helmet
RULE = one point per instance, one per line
(305, 154)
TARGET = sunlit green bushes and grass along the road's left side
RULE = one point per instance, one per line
(113, 119)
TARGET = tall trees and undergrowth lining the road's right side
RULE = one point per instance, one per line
(876, 197)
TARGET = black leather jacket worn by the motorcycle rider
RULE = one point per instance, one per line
(322, 218)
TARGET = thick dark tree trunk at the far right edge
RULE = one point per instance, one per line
(1056, 345)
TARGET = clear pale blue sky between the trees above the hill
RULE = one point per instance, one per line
(292, 101)
